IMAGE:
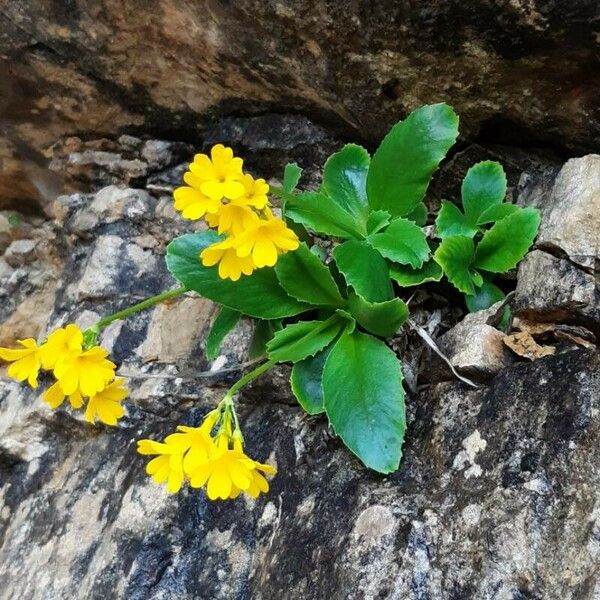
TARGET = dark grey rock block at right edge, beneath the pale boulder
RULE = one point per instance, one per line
(555, 289)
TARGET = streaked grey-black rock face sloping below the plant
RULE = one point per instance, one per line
(486, 505)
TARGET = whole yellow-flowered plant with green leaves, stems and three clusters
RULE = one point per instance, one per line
(326, 313)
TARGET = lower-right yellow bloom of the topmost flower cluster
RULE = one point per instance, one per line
(265, 240)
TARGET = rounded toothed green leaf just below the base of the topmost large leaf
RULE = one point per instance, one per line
(403, 242)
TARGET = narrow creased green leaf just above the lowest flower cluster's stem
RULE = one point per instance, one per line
(295, 342)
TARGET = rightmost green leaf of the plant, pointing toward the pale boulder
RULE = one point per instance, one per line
(507, 242)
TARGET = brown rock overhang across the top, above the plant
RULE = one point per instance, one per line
(517, 71)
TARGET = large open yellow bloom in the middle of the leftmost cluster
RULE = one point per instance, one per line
(88, 372)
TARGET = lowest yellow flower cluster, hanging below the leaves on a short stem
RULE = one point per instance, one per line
(217, 461)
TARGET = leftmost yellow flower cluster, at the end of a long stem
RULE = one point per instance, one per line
(80, 373)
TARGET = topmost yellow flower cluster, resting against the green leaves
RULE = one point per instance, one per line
(236, 205)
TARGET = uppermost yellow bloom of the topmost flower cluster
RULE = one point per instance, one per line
(218, 176)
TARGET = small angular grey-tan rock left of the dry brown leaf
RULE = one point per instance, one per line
(474, 347)
